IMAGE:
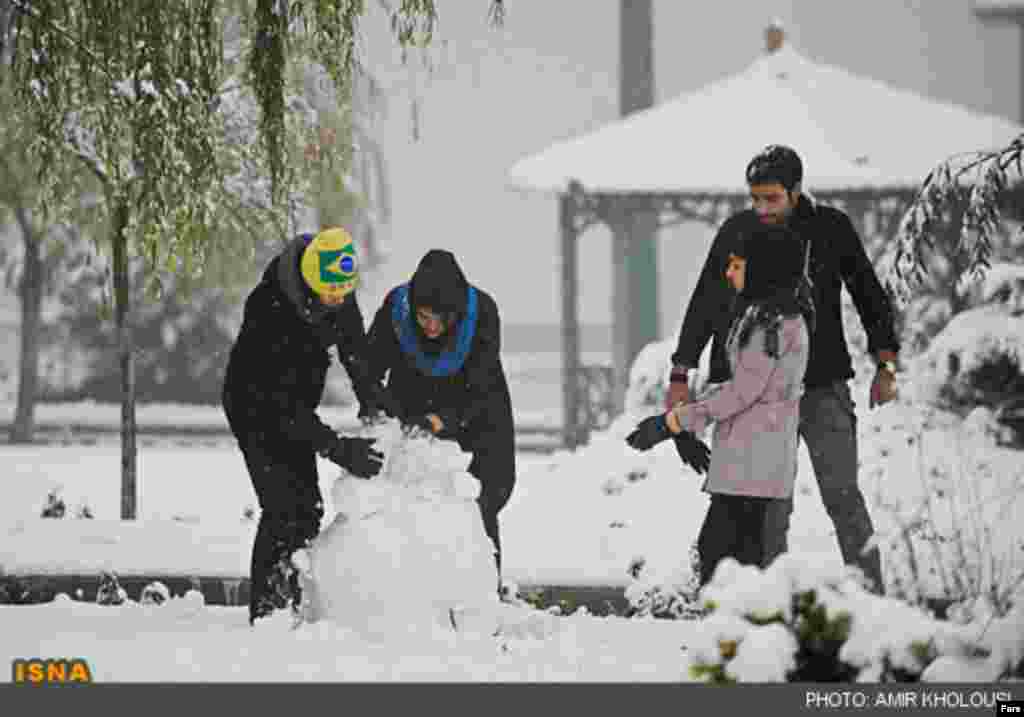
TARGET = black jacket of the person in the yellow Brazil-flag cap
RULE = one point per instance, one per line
(278, 367)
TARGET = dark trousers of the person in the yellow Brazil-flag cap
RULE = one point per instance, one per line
(291, 510)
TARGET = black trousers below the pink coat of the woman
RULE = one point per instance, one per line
(735, 527)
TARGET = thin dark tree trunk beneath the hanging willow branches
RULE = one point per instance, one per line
(126, 359)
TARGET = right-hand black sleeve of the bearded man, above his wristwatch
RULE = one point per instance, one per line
(869, 297)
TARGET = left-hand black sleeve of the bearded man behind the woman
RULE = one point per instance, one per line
(710, 300)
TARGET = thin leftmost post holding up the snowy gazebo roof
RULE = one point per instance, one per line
(571, 321)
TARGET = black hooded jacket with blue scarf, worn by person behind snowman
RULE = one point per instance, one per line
(473, 389)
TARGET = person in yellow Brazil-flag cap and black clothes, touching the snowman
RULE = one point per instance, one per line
(305, 305)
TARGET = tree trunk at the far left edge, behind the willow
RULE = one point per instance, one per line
(31, 294)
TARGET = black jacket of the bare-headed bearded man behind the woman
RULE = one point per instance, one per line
(838, 259)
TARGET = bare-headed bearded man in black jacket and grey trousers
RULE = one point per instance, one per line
(829, 425)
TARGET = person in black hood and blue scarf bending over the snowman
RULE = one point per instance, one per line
(439, 340)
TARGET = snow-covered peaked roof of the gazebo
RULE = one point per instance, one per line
(851, 133)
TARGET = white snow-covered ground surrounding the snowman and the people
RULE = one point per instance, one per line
(584, 518)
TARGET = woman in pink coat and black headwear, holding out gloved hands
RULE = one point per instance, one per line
(757, 413)
